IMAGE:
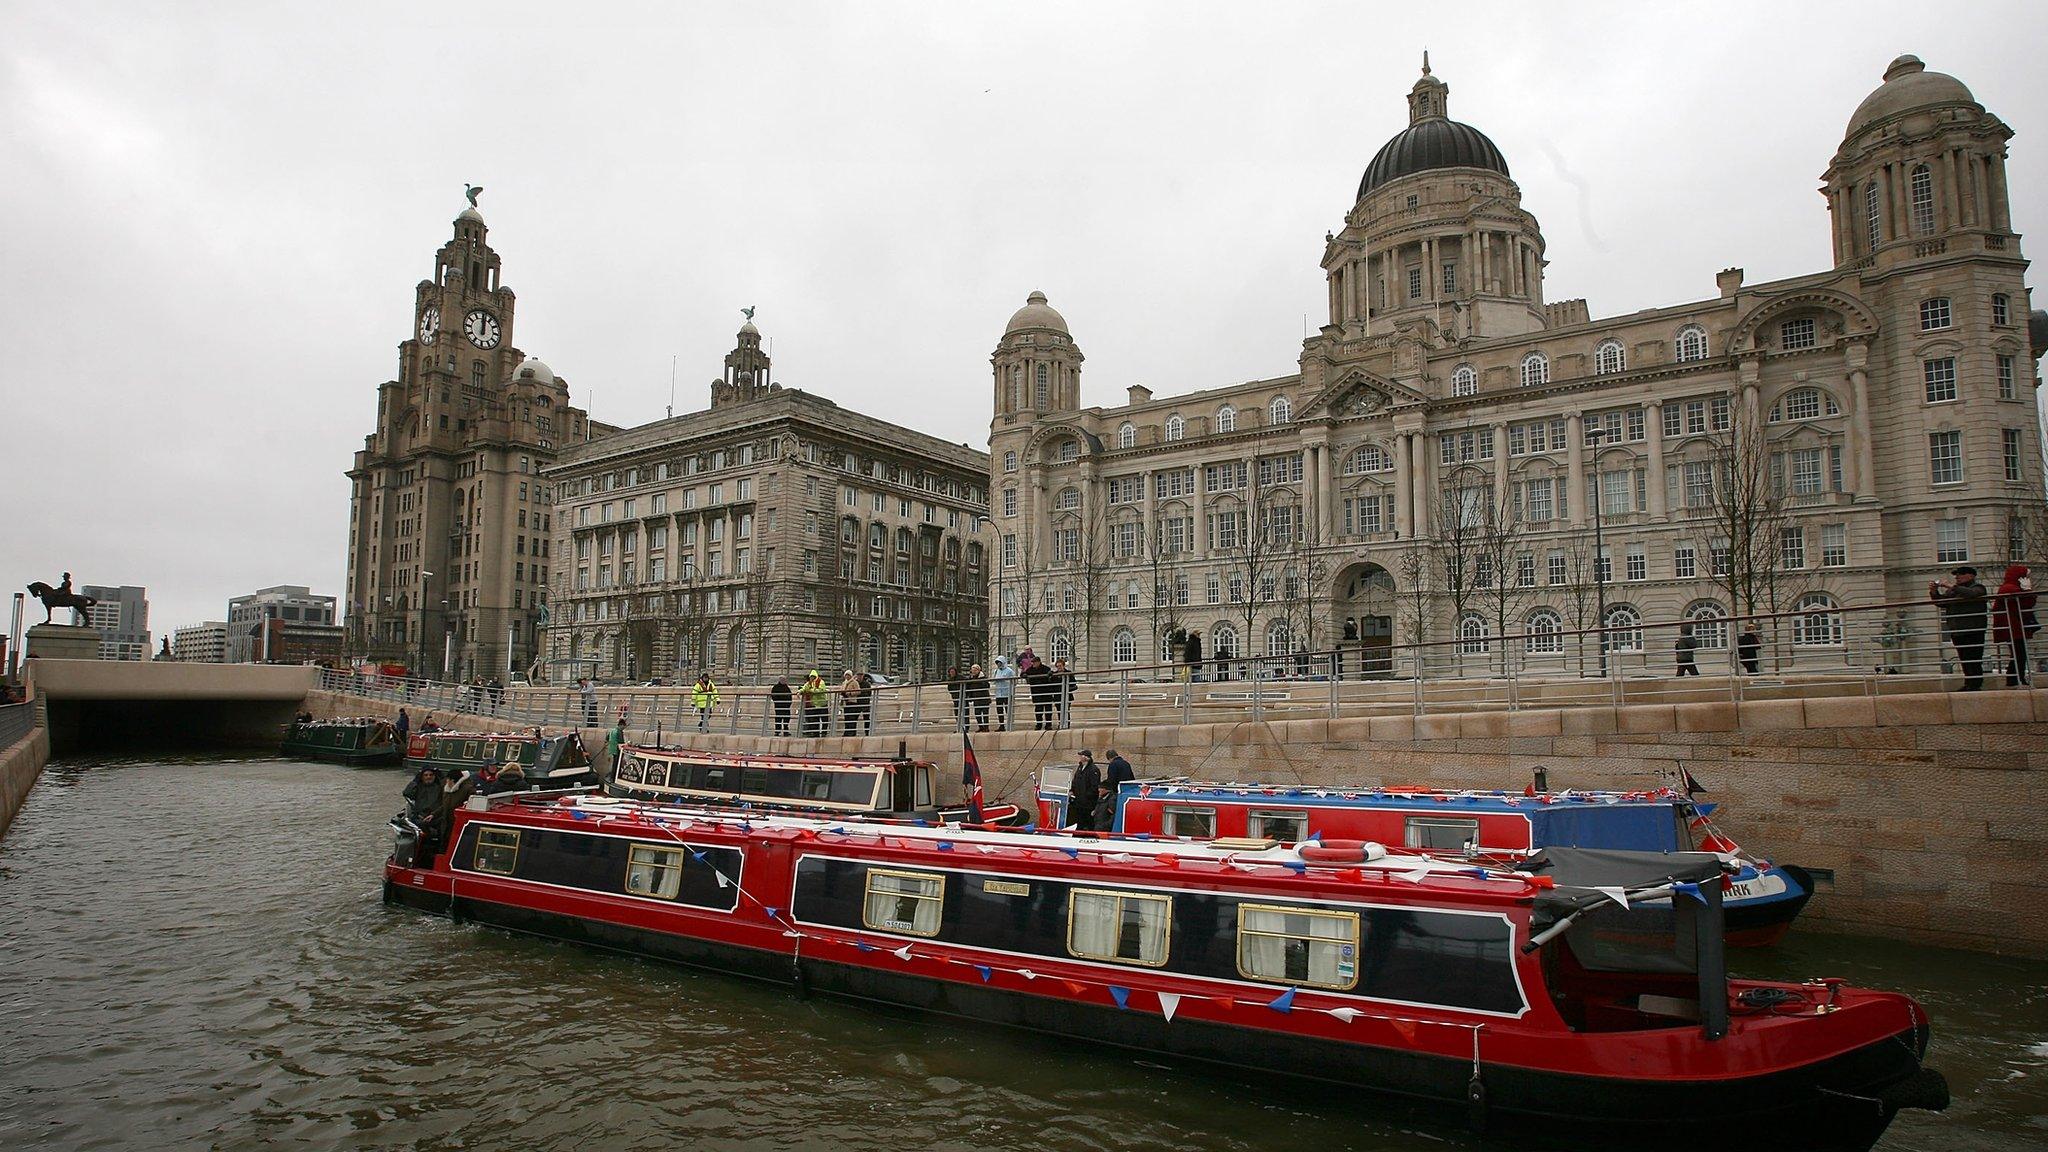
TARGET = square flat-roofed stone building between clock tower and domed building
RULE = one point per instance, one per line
(767, 536)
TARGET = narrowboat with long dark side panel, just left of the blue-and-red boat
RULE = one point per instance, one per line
(894, 788)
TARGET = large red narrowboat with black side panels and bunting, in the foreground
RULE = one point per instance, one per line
(1578, 999)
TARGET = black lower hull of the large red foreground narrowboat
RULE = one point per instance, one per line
(1840, 1104)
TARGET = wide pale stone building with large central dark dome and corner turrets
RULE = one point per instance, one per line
(1451, 442)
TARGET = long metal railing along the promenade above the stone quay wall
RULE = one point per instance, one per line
(1836, 651)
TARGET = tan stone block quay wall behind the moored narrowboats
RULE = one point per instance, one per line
(1928, 809)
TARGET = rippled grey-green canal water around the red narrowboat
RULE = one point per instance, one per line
(194, 954)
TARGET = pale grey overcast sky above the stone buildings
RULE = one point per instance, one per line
(214, 216)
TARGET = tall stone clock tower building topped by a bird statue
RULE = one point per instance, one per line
(447, 520)
